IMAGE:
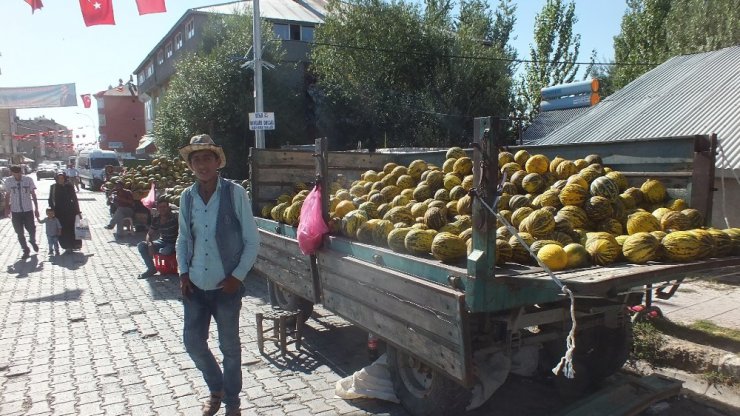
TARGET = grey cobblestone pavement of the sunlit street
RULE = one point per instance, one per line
(81, 335)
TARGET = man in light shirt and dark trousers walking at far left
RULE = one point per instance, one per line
(21, 191)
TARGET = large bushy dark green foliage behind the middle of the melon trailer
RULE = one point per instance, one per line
(392, 74)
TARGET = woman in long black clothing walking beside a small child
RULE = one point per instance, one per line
(63, 200)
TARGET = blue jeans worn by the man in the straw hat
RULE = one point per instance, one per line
(224, 308)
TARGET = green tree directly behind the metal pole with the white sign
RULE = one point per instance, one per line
(211, 93)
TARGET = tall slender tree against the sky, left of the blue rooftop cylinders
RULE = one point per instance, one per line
(552, 57)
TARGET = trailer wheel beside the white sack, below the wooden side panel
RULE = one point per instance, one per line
(423, 390)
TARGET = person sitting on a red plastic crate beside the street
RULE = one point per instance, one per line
(165, 224)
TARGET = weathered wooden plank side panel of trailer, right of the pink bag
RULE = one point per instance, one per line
(423, 318)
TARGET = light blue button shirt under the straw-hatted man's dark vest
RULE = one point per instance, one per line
(206, 270)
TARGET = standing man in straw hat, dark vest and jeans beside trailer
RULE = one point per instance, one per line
(216, 247)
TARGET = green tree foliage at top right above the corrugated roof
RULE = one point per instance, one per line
(655, 30)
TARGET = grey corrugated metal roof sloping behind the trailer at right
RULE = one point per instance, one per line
(686, 95)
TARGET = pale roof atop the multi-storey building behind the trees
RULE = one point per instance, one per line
(309, 11)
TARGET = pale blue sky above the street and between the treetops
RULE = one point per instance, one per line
(53, 46)
